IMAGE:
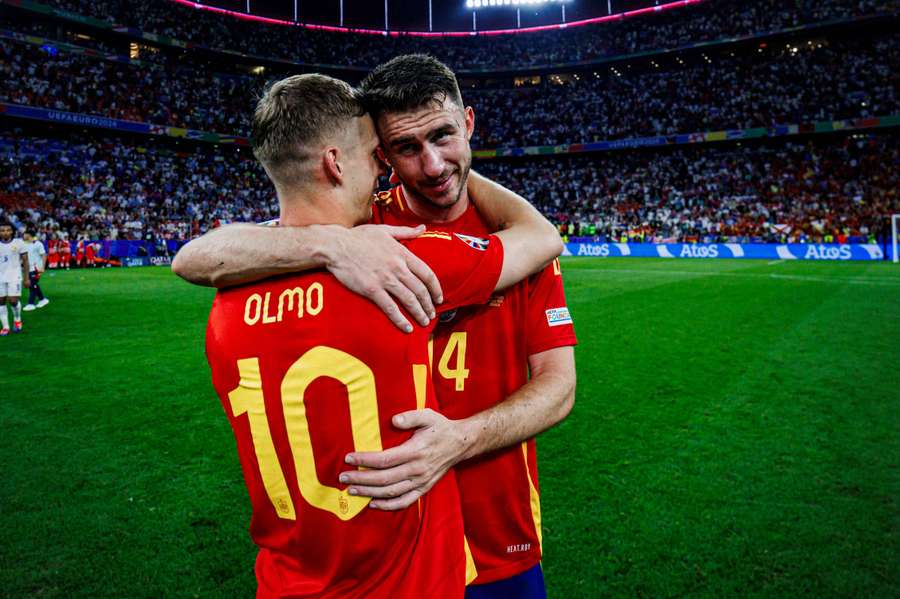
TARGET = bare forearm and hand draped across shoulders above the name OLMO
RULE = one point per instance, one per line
(367, 260)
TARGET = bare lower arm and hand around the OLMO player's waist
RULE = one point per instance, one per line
(400, 475)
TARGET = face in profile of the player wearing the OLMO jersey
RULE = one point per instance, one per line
(363, 168)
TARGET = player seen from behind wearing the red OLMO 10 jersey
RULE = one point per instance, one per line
(291, 353)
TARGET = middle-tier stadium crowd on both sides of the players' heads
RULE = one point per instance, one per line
(812, 81)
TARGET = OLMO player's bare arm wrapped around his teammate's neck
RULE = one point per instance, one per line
(527, 236)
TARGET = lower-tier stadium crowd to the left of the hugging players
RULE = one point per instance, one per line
(103, 189)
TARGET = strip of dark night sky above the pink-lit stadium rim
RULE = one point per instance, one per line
(447, 15)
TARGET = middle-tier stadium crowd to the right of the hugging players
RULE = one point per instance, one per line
(795, 84)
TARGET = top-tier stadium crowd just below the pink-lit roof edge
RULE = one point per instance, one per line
(704, 22)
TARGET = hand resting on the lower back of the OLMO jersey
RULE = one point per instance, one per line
(398, 476)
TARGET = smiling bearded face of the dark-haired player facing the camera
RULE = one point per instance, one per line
(429, 150)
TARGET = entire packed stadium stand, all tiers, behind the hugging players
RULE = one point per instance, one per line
(807, 188)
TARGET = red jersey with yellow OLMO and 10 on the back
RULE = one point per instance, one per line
(308, 371)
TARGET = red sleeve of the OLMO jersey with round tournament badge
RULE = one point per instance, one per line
(467, 267)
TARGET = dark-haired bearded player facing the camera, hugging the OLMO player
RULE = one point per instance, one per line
(481, 357)
